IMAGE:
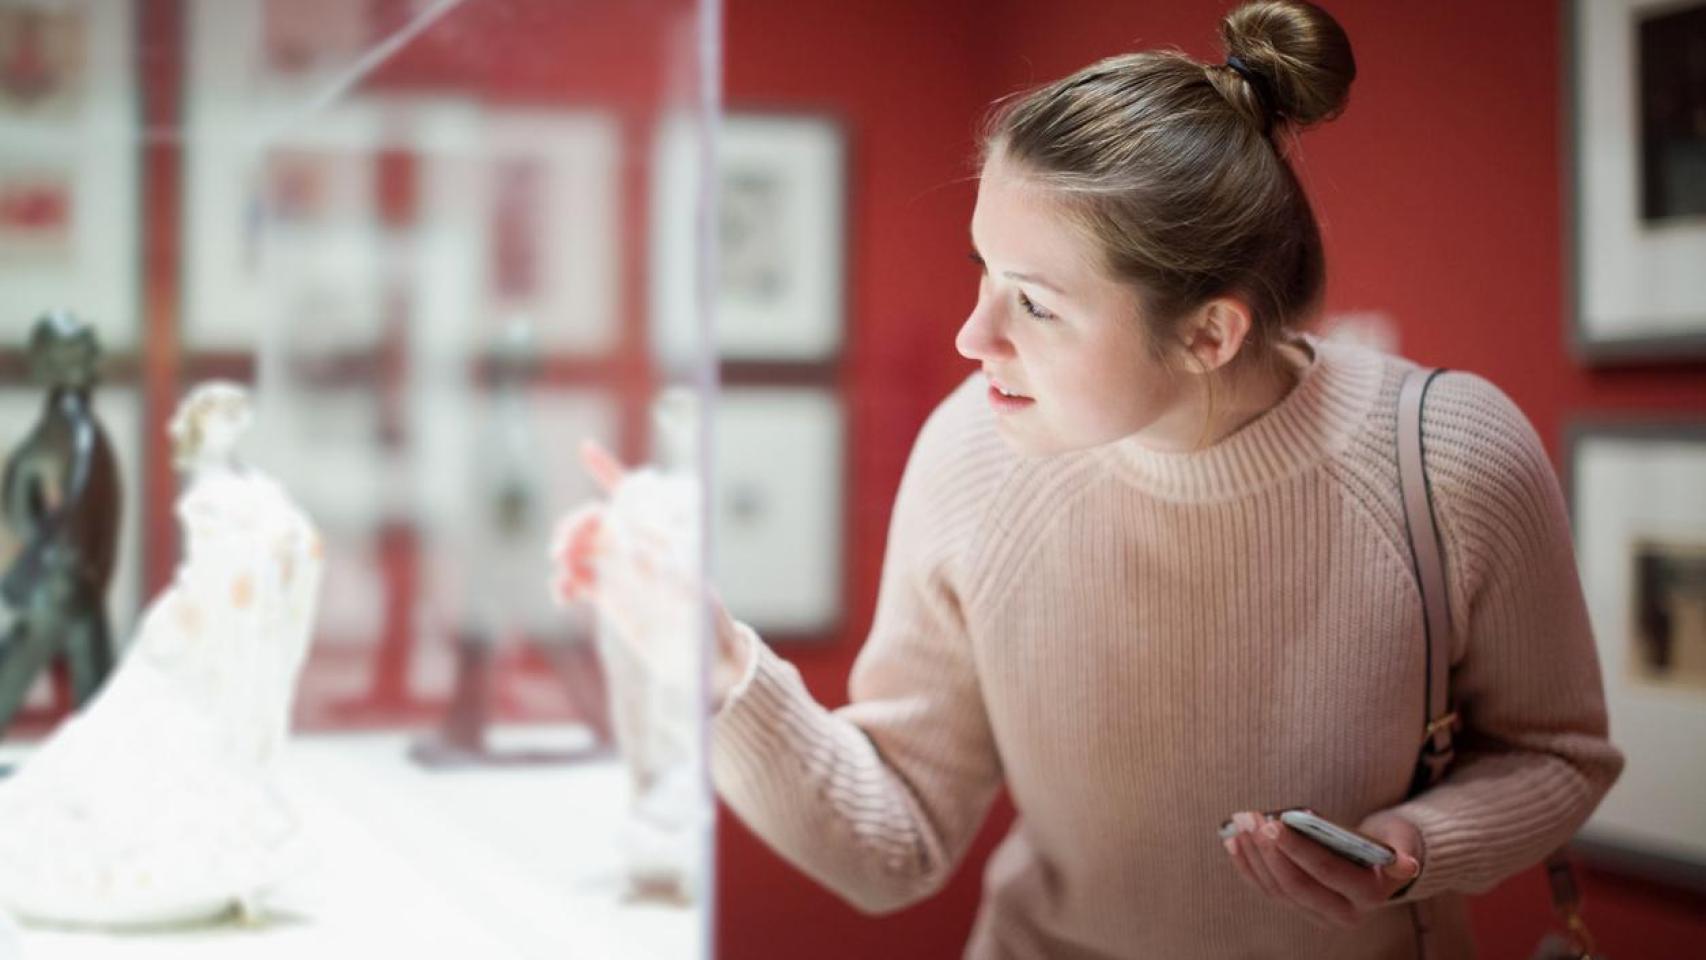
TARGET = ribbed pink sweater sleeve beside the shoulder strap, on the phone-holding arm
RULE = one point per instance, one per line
(1533, 756)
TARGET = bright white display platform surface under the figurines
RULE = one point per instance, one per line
(415, 864)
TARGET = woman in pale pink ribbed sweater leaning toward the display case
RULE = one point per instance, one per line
(1149, 569)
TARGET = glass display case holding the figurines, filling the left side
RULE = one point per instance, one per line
(429, 245)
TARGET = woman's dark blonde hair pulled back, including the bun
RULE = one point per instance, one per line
(1173, 168)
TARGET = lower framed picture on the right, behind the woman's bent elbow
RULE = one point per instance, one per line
(1639, 497)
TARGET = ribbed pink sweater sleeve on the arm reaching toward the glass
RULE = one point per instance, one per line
(878, 801)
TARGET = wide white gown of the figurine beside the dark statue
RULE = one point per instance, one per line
(160, 802)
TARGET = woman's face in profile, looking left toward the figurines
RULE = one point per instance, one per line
(1057, 332)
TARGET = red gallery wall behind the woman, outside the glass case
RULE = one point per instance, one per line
(1441, 200)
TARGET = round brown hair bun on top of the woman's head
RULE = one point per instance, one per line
(1303, 55)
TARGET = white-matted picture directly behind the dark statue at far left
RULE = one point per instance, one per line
(120, 413)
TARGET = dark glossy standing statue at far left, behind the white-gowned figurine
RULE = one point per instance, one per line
(61, 502)
